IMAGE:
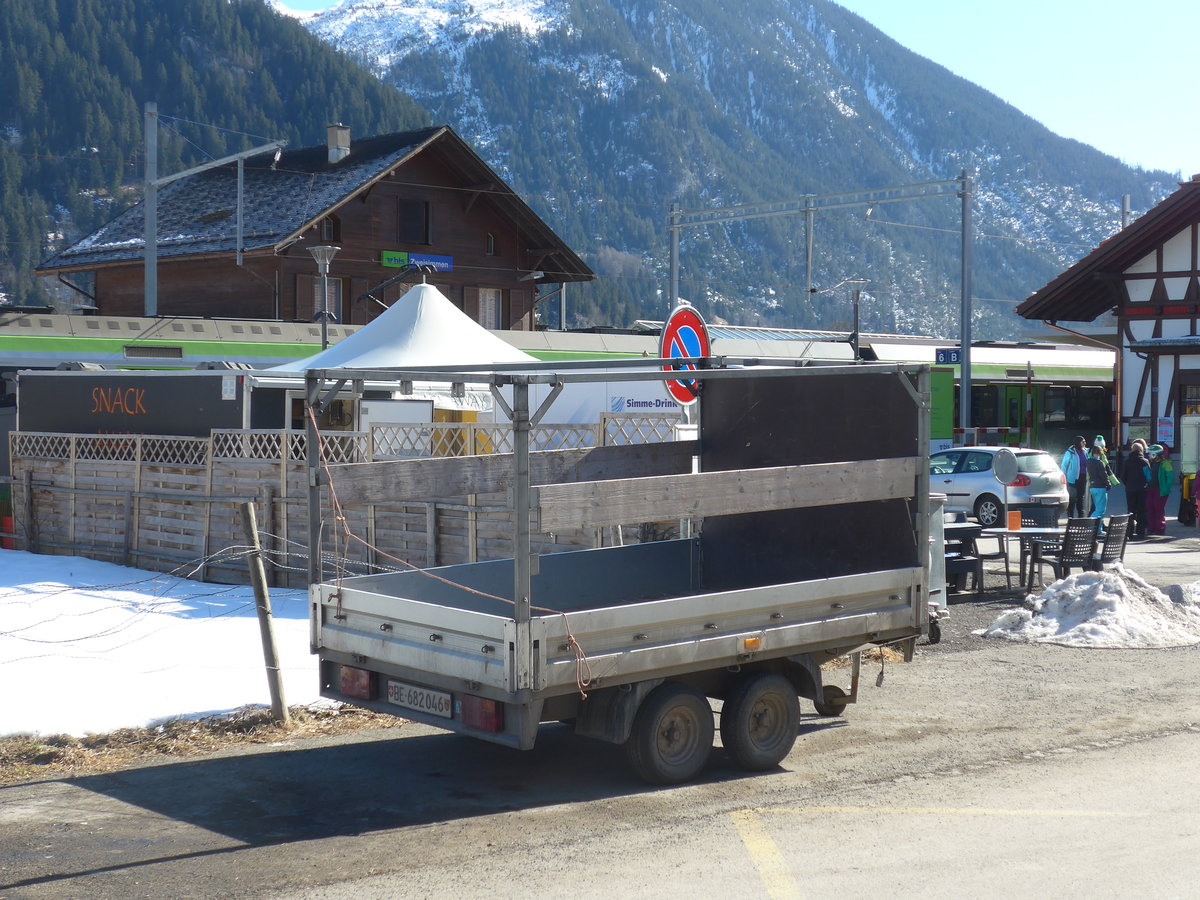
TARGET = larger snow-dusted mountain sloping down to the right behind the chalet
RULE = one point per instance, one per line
(604, 113)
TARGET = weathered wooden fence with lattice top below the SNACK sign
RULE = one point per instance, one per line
(171, 503)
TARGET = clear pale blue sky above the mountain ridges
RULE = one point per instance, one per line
(1112, 74)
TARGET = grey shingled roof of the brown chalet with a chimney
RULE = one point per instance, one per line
(199, 215)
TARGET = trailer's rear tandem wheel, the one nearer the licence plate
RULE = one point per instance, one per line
(673, 735)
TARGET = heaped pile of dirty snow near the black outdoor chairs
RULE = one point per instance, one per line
(1113, 610)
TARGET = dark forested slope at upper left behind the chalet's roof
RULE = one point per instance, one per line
(79, 74)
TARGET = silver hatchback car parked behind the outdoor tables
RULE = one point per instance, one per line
(964, 475)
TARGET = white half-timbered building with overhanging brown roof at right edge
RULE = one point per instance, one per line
(1148, 277)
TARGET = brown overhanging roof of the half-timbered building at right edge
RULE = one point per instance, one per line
(1089, 289)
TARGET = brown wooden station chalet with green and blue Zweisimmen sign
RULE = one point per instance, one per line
(389, 203)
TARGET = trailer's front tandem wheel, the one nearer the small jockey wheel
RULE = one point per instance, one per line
(760, 721)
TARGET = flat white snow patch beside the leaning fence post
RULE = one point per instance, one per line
(88, 647)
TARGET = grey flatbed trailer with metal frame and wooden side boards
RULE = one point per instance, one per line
(803, 501)
